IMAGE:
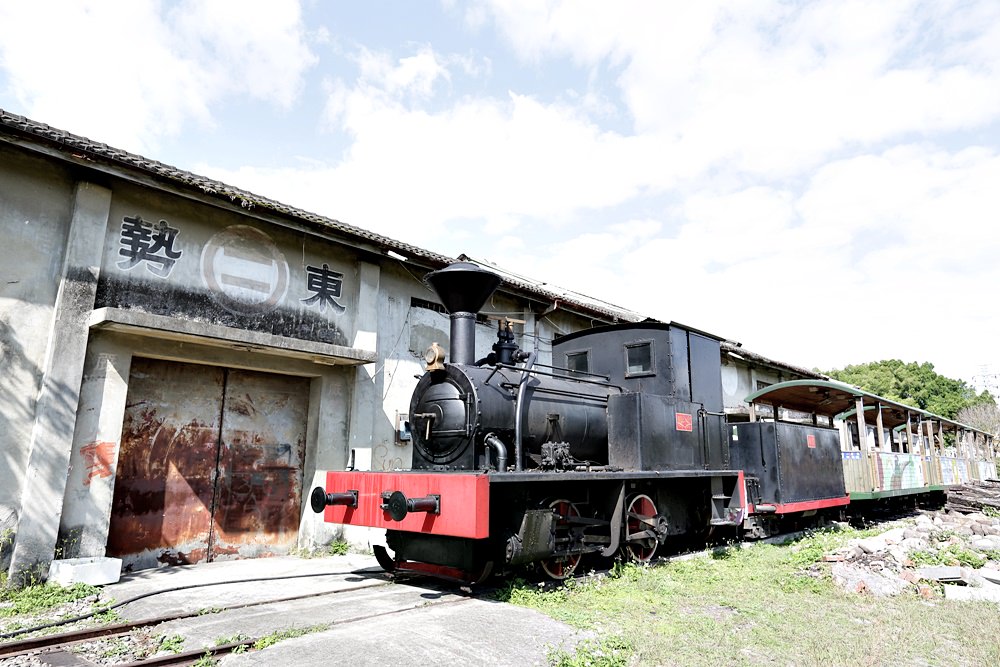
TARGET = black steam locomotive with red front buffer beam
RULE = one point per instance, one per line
(618, 449)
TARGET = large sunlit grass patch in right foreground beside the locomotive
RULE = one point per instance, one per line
(759, 604)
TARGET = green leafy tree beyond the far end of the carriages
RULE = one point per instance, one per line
(913, 384)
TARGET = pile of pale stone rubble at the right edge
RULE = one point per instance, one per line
(964, 550)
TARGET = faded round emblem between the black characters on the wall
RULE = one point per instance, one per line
(244, 270)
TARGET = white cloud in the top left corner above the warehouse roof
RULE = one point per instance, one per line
(127, 73)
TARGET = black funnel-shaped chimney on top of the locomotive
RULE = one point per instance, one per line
(463, 288)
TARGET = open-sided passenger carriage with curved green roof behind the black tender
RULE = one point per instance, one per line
(905, 452)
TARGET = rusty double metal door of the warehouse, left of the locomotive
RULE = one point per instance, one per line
(210, 465)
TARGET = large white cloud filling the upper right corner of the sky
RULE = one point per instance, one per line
(769, 87)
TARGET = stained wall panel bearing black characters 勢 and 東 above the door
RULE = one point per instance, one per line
(169, 256)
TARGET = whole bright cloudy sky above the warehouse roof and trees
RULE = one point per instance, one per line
(819, 181)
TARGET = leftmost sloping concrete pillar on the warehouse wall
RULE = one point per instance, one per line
(55, 412)
